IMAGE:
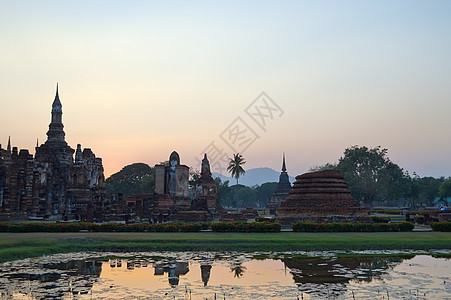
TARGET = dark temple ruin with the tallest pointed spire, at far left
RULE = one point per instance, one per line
(51, 185)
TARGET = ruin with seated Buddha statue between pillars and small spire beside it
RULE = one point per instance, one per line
(172, 200)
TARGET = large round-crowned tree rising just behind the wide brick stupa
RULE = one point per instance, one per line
(371, 175)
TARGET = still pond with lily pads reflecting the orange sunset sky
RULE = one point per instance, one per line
(225, 276)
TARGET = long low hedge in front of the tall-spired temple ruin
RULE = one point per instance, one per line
(107, 227)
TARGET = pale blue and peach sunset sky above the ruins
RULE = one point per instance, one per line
(140, 79)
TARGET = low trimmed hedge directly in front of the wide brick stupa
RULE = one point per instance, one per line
(351, 227)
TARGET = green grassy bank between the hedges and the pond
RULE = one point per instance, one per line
(21, 245)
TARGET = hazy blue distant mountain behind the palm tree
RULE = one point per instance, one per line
(254, 176)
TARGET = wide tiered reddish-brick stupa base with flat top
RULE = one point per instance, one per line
(321, 197)
